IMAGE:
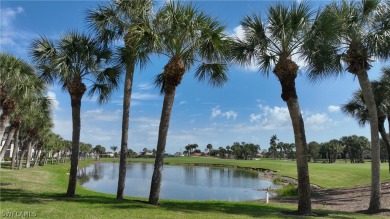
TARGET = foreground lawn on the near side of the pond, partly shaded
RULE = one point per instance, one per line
(40, 192)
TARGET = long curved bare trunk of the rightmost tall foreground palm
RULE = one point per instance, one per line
(365, 85)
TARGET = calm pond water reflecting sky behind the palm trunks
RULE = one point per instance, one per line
(183, 182)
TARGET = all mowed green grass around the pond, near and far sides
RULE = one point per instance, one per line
(40, 191)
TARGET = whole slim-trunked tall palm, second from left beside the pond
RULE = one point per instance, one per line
(128, 20)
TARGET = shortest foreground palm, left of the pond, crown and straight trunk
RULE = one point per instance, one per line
(71, 60)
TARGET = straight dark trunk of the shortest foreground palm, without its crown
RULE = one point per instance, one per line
(76, 122)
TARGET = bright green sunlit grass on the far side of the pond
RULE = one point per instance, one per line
(334, 175)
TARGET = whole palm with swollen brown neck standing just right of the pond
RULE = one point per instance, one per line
(272, 44)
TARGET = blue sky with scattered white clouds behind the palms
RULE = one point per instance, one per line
(248, 108)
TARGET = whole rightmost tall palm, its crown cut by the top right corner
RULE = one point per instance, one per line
(363, 36)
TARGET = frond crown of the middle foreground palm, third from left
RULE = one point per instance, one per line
(188, 36)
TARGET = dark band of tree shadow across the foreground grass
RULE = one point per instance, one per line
(189, 207)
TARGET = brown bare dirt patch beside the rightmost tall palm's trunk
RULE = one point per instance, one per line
(354, 199)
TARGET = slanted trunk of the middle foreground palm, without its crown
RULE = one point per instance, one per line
(162, 138)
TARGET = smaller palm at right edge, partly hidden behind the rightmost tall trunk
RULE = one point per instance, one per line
(357, 108)
